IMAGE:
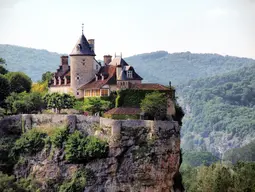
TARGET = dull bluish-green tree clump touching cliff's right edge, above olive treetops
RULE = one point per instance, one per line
(195, 159)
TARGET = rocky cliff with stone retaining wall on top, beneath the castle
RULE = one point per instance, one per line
(143, 155)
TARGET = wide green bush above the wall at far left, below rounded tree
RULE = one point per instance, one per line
(24, 102)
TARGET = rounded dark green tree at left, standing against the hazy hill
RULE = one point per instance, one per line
(19, 82)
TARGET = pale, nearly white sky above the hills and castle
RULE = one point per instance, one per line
(132, 27)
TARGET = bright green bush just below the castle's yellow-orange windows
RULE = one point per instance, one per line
(96, 104)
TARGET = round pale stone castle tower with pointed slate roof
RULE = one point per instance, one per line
(81, 65)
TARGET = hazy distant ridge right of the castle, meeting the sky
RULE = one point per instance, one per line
(179, 68)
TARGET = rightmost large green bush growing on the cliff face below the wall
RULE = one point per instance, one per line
(82, 149)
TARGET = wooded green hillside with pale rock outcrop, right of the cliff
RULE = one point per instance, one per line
(220, 111)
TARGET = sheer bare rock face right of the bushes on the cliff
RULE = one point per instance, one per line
(140, 159)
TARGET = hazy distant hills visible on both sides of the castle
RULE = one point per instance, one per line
(175, 67)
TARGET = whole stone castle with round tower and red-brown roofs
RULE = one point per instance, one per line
(86, 77)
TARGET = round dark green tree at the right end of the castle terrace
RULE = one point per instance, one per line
(155, 105)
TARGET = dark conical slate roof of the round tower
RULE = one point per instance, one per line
(82, 47)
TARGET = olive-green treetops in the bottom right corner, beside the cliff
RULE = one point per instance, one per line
(219, 177)
